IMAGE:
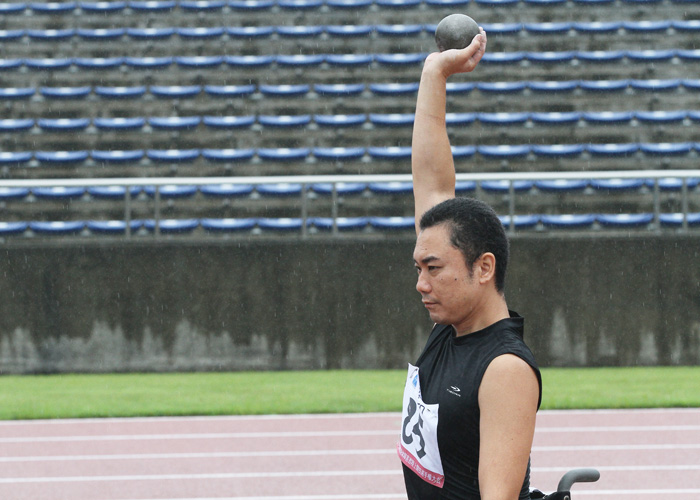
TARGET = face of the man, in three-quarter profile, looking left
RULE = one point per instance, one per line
(448, 289)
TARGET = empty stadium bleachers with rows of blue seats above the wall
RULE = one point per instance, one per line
(248, 88)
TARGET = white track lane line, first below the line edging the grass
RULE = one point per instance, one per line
(307, 434)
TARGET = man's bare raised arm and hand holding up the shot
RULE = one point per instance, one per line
(431, 159)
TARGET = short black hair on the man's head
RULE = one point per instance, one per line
(474, 229)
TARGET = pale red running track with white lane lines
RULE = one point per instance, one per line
(640, 454)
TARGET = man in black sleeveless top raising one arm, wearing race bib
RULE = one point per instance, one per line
(470, 401)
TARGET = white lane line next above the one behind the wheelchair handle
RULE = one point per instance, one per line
(313, 453)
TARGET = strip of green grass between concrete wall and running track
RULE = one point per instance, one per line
(125, 395)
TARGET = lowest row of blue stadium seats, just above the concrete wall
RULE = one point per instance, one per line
(645, 221)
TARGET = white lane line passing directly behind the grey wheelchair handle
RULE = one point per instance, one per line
(297, 474)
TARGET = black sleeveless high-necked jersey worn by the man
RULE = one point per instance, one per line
(451, 370)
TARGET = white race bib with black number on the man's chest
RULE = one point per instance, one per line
(418, 448)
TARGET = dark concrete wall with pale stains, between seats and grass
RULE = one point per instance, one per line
(274, 304)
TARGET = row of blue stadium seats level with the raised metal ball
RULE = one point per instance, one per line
(662, 27)
